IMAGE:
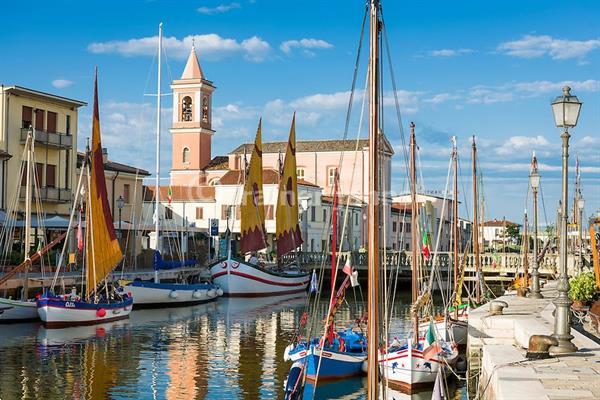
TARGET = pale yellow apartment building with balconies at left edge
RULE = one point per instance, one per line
(54, 122)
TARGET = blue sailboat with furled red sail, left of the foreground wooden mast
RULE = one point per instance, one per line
(335, 355)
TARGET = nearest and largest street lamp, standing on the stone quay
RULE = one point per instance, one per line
(566, 113)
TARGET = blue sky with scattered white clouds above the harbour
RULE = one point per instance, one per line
(465, 68)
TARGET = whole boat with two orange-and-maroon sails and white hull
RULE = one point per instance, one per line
(240, 278)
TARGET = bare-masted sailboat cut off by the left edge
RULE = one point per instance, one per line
(25, 309)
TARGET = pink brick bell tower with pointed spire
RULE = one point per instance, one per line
(192, 124)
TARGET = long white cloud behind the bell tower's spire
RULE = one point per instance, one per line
(209, 46)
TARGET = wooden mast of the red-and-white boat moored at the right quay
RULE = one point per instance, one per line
(414, 227)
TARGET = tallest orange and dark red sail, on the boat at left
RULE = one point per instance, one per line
(103, 252)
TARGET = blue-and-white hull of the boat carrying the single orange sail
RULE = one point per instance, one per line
(59, 314)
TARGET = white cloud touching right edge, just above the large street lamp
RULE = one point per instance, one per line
(534, 46)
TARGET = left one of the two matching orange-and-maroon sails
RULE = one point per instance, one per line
(252, 209)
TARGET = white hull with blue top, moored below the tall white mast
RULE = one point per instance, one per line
(171, 295)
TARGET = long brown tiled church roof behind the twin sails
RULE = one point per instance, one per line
(309, 146)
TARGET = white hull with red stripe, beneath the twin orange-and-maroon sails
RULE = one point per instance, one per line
(239, 279)
